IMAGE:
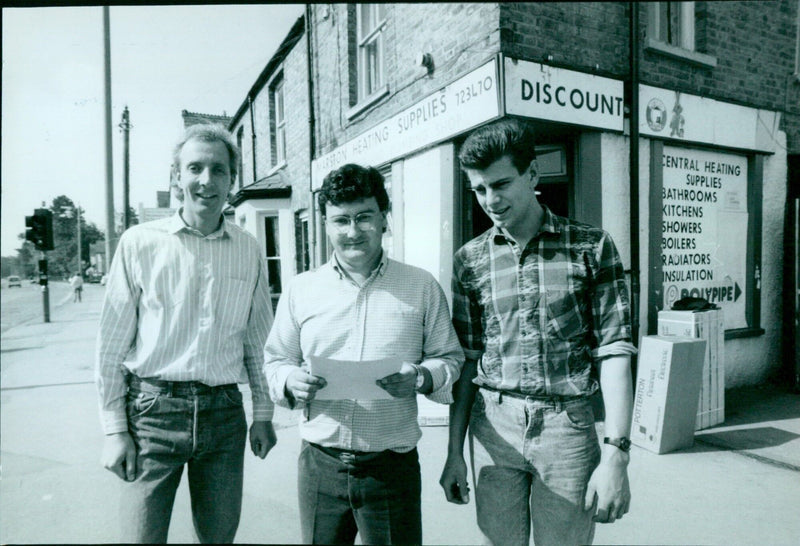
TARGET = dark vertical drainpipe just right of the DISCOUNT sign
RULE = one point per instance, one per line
(634, 170)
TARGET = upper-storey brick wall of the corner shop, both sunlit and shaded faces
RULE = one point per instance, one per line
(753, 43)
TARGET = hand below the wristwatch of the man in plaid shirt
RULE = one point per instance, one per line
(609, 492)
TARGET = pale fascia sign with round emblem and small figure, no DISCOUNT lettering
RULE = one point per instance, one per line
(675, 115)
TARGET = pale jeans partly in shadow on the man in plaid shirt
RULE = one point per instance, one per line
(531, 462)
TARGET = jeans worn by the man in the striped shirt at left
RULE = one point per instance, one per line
(177, 424)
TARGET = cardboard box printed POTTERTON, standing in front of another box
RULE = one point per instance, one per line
(667, 392)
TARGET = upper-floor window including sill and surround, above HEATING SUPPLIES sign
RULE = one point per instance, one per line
(369, 69)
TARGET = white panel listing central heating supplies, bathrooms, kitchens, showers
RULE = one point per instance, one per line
(704, 229)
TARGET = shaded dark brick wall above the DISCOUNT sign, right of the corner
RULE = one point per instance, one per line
(753, 43)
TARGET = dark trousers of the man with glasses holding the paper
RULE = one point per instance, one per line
(341, 496)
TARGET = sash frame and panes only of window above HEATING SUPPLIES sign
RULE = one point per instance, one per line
(371, 22)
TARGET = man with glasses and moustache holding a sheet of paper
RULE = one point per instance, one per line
(358, 467)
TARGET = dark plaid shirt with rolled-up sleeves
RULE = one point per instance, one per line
(537, 321)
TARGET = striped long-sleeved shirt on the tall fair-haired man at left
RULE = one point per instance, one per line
(181, 306)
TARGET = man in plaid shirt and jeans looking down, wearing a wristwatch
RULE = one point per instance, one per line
(541, 310)
